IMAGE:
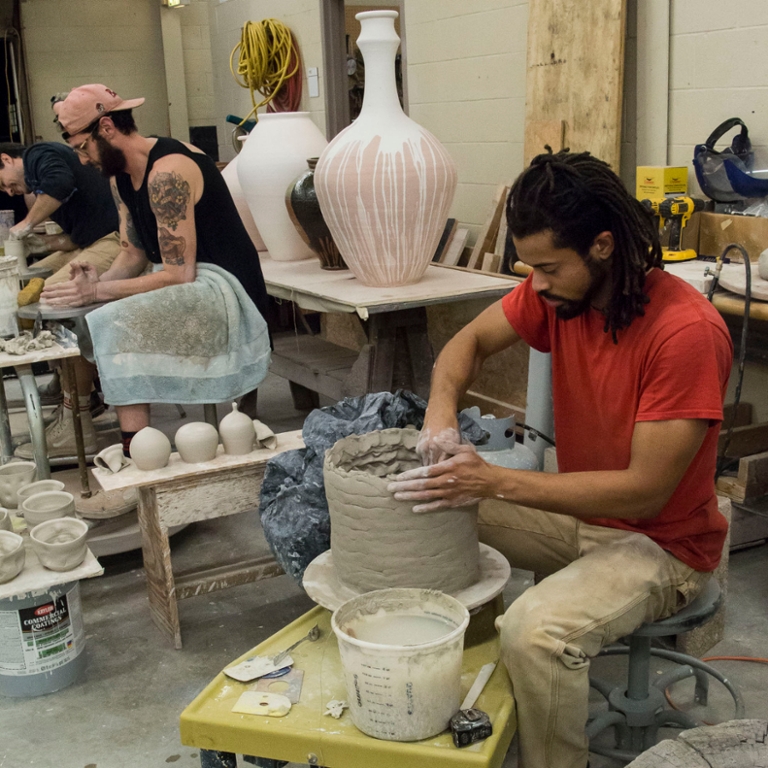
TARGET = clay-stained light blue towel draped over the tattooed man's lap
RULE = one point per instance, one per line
(200, 342)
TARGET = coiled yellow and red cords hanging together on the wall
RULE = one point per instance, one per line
(268, 62)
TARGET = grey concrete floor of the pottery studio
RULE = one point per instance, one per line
(124, 712)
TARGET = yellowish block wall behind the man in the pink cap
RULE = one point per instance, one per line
(74, 42)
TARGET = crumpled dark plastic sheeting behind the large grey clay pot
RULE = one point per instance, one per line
(293, 508)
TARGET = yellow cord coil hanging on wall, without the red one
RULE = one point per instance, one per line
(264, 60)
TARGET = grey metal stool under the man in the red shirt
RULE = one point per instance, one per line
(637, 710)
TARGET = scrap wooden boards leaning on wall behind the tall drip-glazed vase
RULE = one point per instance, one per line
(487, 254)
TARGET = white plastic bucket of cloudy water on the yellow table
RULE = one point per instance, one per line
(401, 685)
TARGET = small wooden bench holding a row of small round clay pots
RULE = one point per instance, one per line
(182, 493)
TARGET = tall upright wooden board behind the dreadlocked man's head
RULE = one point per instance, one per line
(575, 74)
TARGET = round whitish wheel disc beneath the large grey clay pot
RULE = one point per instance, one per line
(322, 583)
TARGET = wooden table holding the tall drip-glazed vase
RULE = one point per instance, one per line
(397, 352)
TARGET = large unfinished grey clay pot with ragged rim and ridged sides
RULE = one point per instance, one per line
(377, 542)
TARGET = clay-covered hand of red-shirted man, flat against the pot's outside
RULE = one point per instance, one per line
(459, 481)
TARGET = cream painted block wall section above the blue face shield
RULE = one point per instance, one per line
(718, 69)
